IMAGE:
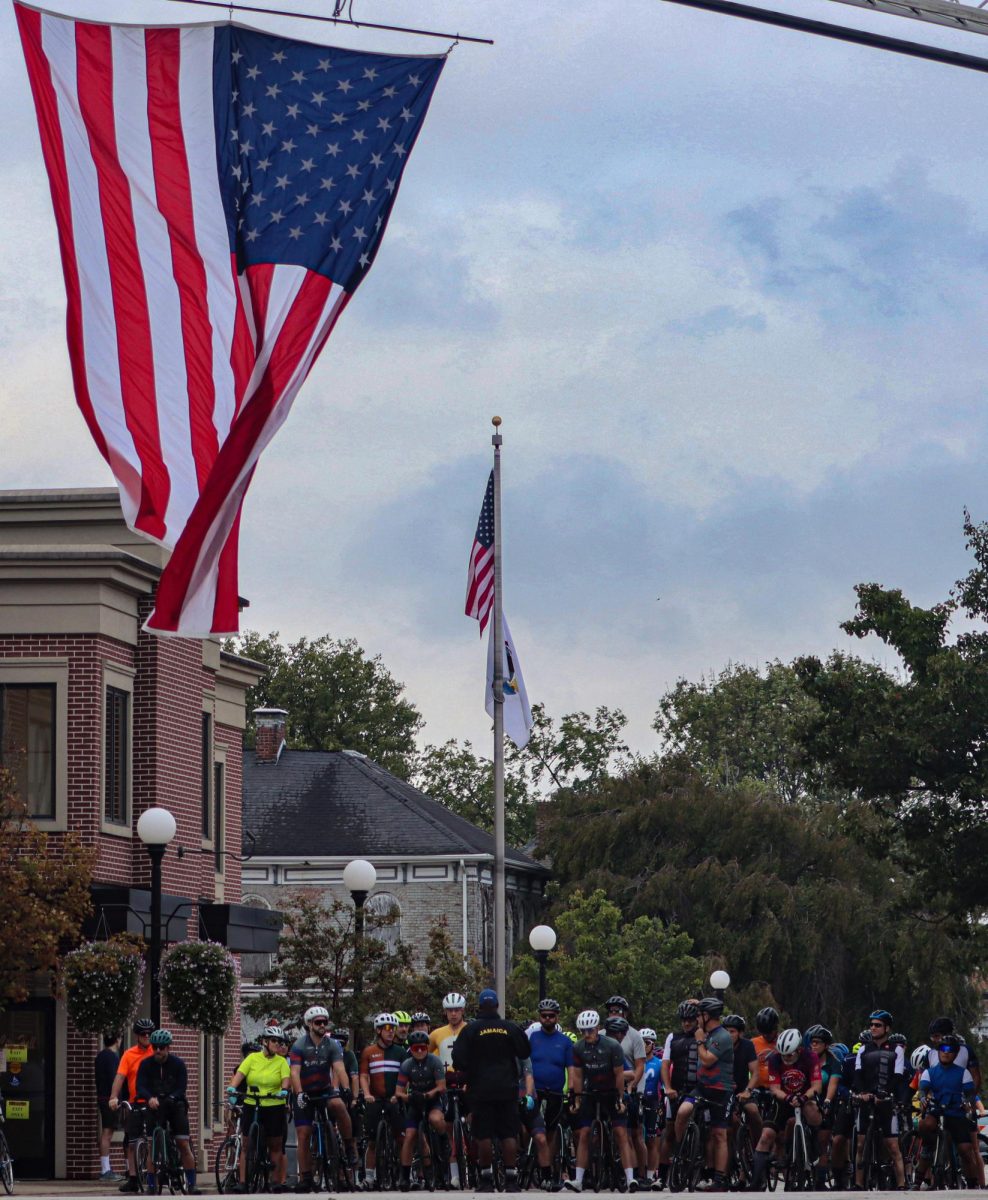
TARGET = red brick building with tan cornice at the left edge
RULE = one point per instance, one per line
(100, 721)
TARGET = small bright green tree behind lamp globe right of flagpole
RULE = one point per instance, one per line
(601, 952)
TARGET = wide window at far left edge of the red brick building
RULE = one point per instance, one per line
(28, 743)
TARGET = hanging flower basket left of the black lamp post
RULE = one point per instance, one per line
(103, 983)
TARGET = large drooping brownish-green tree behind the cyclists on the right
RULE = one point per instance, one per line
(801, 914)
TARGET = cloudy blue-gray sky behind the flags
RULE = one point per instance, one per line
(724, 284)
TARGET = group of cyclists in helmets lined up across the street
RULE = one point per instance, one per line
(546, 1095)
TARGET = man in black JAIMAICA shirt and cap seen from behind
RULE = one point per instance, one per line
(488, 1052)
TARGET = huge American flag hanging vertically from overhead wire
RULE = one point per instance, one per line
(220, 194)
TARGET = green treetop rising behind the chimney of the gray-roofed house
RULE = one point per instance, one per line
(337, 698)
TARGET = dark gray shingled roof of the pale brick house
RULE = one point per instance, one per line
(337, 805)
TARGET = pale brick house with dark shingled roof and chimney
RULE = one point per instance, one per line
(310, 813)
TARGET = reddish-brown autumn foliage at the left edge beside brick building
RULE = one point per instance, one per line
(44, 896)
